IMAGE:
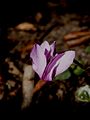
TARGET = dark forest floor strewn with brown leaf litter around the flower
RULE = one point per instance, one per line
(58, 95)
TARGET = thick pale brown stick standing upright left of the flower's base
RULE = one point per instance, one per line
(27, 86)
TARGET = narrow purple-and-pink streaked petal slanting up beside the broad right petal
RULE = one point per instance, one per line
(53, 64)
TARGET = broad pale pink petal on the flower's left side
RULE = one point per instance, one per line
(39, 59)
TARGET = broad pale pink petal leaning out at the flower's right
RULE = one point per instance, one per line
(65, 61)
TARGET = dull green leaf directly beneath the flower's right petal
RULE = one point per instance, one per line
(63, 76)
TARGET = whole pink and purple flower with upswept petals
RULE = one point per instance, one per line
(47, 64)
